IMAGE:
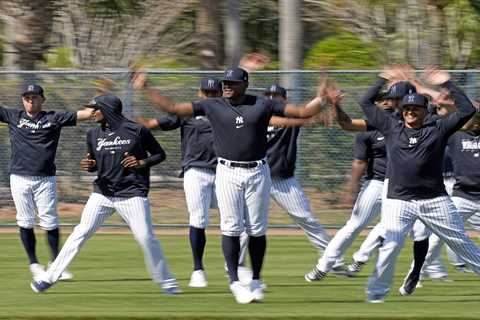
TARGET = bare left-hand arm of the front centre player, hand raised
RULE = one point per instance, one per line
(161, 102)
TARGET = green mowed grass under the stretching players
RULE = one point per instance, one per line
(111, 283)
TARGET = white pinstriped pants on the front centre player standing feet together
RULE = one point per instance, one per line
(243, 198)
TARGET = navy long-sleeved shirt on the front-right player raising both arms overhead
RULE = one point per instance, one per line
(415, 156)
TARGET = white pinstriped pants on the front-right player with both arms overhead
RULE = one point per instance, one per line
(398, 217)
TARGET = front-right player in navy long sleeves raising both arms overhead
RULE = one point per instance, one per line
(415, 187)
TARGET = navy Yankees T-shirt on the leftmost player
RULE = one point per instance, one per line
(34, 141)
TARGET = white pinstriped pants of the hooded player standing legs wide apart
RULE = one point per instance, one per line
(135, 211)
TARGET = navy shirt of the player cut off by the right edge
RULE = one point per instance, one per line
(464, 151)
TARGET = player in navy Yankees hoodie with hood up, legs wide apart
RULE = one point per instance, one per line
(121, 152)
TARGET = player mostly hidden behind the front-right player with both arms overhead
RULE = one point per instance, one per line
(370, 156)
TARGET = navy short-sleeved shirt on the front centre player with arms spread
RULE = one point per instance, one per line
(240, 131)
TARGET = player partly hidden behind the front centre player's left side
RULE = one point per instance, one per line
(199, 162)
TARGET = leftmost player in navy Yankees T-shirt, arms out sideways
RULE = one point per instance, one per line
(34, 136)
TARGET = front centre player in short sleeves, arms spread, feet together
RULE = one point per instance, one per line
(242, 183)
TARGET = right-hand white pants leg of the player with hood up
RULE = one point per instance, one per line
(136, 213)
